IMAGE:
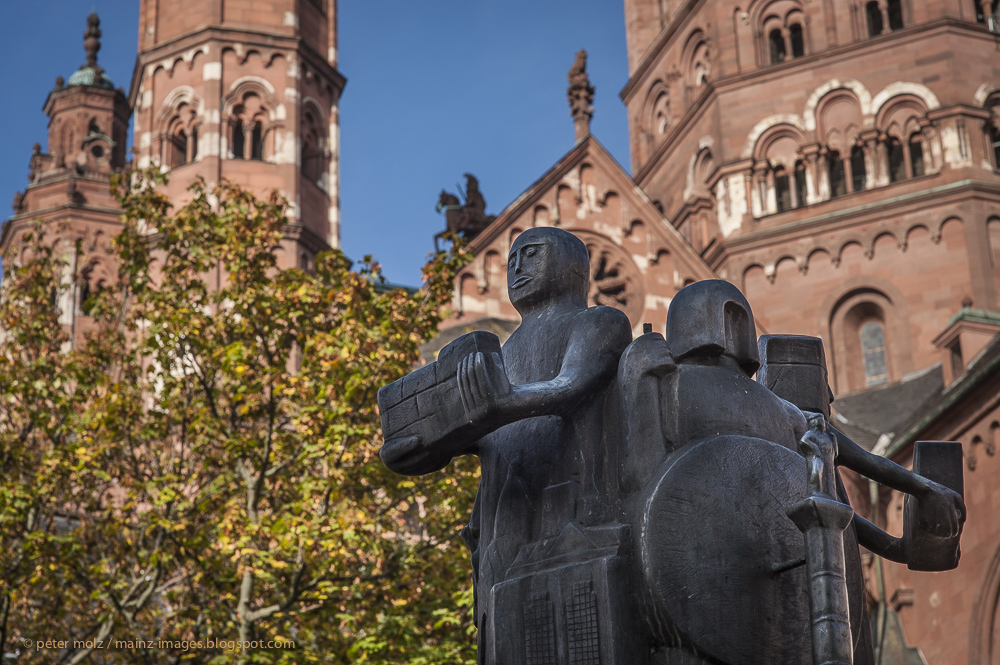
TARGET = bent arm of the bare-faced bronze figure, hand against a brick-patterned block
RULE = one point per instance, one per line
(595, 344)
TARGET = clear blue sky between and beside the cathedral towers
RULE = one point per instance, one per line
(435, 88)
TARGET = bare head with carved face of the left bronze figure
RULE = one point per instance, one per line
(546, 263)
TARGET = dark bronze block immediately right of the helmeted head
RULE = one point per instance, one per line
(793, 367)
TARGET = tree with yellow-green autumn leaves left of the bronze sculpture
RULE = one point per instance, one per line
(203, 468)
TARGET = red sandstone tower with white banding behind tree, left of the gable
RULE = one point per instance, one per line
(246, 90)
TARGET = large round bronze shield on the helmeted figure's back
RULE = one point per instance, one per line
(722, 560)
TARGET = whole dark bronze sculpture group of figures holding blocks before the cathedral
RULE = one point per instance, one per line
(649, 502)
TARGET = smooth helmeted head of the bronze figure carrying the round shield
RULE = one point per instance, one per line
(712, 318)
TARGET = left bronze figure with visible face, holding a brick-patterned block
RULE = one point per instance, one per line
(535, 419)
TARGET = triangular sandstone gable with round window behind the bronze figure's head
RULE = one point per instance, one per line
(638, 259)
